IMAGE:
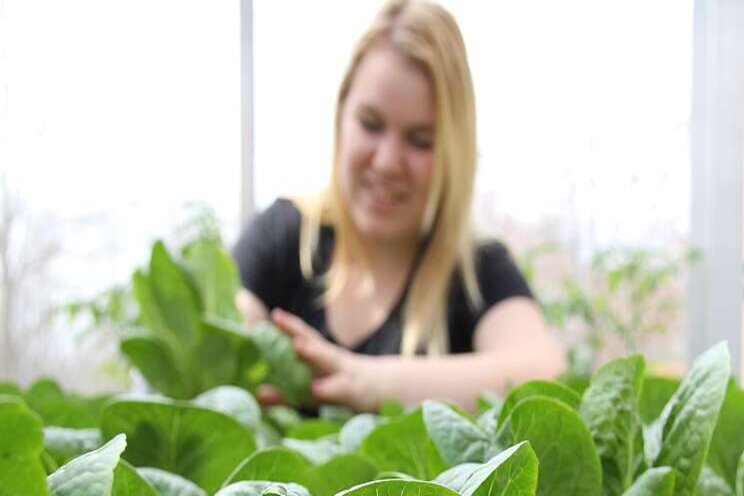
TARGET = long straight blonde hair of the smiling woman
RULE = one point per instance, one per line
(426, 34)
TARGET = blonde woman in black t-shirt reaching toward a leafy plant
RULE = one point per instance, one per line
(379, 280)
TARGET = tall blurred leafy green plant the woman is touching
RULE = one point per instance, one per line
(183, 351)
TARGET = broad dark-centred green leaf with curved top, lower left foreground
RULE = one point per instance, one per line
(202, 445)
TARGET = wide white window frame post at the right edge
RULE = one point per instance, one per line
(717, 147)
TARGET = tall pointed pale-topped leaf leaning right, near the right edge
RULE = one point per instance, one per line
(686, 425)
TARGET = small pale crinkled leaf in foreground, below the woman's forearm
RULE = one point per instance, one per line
(457, 439)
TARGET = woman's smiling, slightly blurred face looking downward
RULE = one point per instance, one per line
(386, 146)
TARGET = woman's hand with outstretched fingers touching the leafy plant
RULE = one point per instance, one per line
(341, 377)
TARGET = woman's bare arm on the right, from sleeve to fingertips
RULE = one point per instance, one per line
(511, 342)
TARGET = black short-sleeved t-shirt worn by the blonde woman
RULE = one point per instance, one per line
(267, 255)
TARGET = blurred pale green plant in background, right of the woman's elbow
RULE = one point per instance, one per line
(624, 297)
